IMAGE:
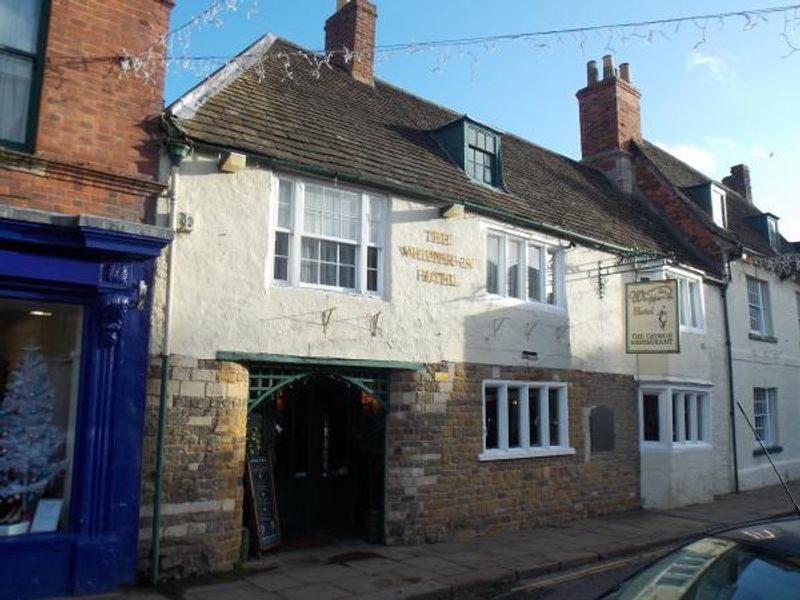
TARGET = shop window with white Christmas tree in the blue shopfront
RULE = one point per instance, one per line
(39, 371)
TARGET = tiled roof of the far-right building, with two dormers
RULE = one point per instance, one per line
(682, 177)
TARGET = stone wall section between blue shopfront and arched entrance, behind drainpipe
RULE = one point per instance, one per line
(204, 453)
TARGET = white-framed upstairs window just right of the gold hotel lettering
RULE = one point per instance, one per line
(522, 269)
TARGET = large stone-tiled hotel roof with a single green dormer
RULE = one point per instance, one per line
(382, 134)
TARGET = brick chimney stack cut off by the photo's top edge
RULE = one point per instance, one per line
(352, 27)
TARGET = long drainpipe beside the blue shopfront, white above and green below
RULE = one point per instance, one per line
(177, 151)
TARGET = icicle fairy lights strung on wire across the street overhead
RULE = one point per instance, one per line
(174, 49)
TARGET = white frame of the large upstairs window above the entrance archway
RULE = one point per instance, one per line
(296, 234)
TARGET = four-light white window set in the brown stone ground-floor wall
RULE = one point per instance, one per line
(524, 419)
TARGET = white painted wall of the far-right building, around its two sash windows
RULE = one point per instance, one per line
(769, 365)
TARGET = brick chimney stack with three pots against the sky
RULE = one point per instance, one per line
(609, 111)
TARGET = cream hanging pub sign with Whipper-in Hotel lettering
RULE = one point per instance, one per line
(651, 317)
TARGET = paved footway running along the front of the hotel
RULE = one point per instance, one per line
(477, 568)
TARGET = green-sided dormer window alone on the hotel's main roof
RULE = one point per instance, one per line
(475, 148)
